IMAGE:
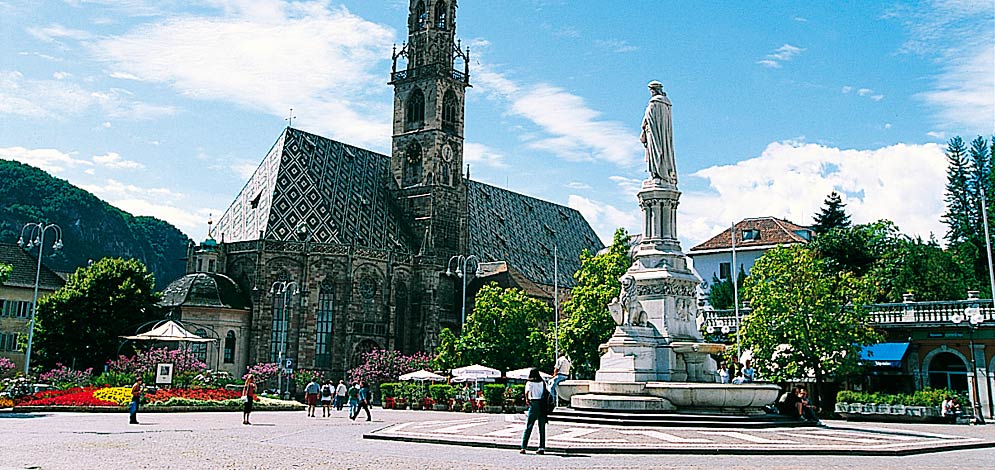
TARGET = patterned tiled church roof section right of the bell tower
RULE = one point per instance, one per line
(522, 230)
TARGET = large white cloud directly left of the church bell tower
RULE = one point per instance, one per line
(269, 56)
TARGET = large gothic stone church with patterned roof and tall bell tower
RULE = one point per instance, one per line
(331, 250)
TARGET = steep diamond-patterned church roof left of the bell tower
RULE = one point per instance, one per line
(340, 192)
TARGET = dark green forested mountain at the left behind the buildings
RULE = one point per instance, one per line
(91, 228)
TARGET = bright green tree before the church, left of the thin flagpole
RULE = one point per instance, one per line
(505, 330)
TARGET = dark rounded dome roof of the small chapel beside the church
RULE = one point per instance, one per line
(204, 290)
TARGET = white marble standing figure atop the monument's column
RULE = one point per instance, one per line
(658, 136)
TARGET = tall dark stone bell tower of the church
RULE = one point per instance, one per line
(430, 75)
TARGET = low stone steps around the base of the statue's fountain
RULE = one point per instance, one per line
(658, 419)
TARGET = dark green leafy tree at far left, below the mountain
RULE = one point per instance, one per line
(81, 322)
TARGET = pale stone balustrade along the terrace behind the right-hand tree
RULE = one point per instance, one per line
(913, 314)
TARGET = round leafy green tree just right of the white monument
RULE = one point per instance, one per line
(806, 318)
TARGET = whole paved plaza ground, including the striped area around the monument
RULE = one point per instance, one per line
(291, 440)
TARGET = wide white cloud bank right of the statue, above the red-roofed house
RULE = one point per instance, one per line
(903, 183)
